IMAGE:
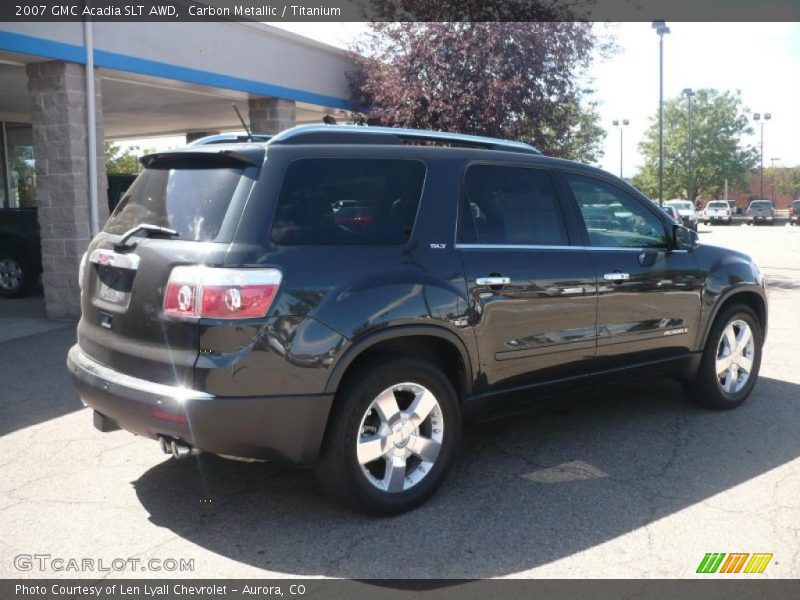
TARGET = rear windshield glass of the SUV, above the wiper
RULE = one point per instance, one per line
(191, 201)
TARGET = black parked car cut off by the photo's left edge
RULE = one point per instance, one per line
(20, 252)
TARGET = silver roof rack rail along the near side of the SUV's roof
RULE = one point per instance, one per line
(360, 134)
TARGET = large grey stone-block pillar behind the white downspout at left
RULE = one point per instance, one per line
(61, 150)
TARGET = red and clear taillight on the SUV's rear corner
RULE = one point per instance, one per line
(217, 293)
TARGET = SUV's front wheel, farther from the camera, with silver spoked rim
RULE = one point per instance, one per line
(726, 391)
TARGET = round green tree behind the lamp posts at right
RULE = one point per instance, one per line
(719, 122)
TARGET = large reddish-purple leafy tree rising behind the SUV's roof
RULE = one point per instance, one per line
(518, 81)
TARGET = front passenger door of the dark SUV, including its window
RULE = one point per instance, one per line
(648, 302)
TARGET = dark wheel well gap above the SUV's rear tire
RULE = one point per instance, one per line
(426, 347)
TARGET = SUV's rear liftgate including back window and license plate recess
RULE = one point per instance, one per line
(200, 195)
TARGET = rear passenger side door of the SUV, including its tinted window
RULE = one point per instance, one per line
(532, 291)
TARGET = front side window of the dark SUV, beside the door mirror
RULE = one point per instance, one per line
(614, 218)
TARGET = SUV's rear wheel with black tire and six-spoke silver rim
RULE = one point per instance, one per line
(366, 407)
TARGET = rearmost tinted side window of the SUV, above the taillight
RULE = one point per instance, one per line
(343, 201)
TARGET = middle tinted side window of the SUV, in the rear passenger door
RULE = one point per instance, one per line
(510, 205)
